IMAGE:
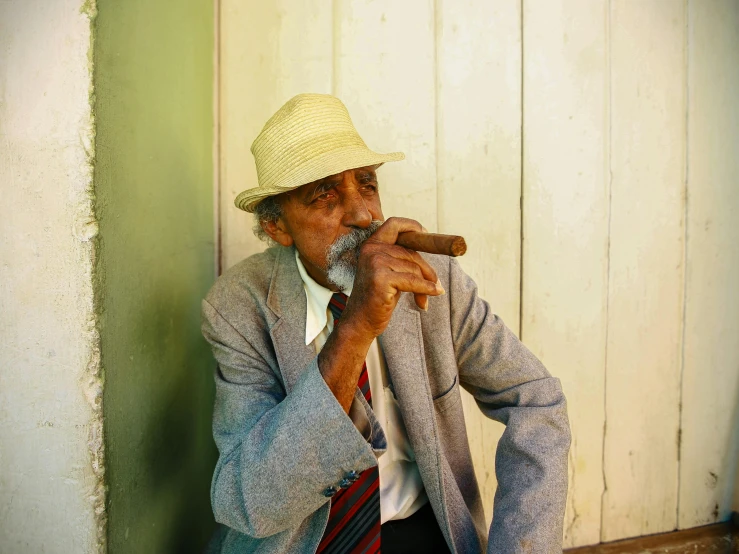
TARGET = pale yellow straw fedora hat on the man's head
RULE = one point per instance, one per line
(309, 138)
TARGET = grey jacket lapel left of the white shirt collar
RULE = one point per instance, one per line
(286, 299)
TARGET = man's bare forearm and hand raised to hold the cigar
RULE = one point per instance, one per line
(384, 271)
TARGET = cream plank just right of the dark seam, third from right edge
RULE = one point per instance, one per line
(565, 224)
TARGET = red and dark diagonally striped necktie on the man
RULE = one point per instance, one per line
(354, 519)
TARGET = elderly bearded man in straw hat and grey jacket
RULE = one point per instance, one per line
(341, 355)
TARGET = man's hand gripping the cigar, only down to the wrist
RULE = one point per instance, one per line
(384, 271)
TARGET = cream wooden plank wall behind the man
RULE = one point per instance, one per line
(588, 151)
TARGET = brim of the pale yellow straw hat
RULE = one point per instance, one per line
(316, 168)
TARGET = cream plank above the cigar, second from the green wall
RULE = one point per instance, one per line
(384, 73)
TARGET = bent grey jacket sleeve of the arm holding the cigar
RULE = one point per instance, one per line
(278, 452)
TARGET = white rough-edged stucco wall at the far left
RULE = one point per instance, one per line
(50, 424)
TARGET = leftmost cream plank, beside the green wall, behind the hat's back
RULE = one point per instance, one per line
(270, 51)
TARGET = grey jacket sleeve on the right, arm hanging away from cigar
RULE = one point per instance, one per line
(511, 386)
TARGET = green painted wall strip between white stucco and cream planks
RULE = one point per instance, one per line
(153, 183)
